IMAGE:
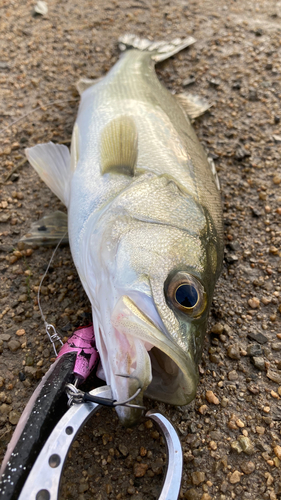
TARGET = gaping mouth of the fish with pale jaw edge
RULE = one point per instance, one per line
(166, 372)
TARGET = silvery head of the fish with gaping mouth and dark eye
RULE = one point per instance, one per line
(162, 280)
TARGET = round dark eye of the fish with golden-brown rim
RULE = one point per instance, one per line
(185, 293)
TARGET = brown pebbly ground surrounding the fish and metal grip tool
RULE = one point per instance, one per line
(231, 436)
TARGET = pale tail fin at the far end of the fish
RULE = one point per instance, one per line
(159, 50)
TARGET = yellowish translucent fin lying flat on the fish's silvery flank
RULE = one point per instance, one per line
(119, 146)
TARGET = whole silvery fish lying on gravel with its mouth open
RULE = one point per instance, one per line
(144, 221)
